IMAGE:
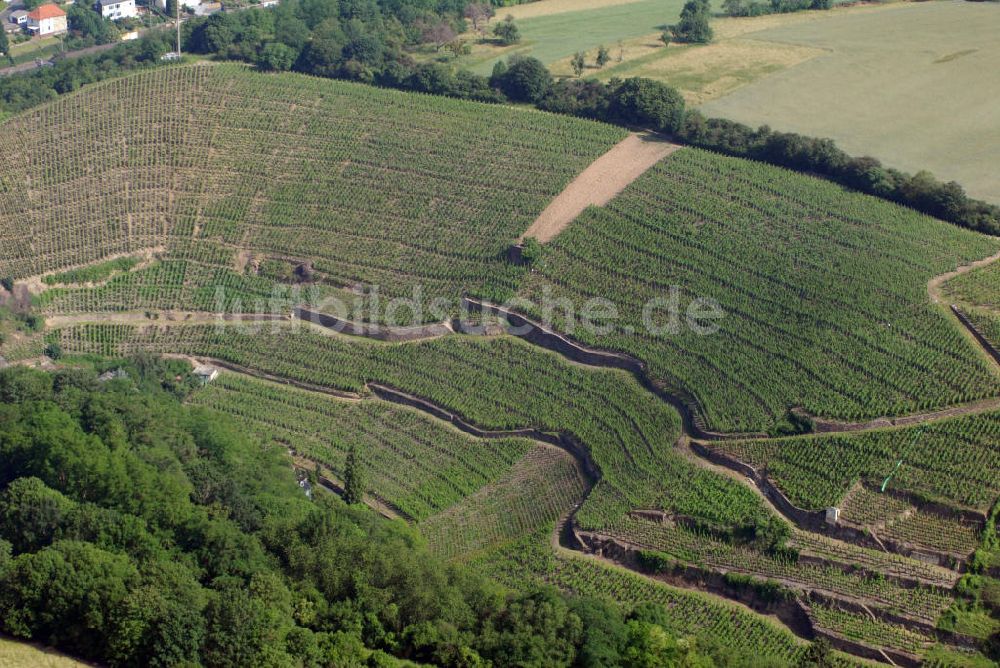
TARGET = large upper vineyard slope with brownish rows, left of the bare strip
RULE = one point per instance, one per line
(231, 173)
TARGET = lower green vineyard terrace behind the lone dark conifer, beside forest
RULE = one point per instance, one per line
(413, 462)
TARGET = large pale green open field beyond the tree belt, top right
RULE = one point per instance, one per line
(904, 83)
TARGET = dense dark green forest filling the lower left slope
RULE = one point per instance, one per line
(138, 531)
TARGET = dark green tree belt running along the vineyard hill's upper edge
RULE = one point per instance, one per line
(369, 41)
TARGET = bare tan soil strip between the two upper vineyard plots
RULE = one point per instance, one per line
(600, 182)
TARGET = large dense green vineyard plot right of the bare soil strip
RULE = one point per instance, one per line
(823, 293)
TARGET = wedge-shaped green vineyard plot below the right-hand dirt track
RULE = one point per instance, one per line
(956, 461)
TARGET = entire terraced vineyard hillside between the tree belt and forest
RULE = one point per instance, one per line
(170, 196)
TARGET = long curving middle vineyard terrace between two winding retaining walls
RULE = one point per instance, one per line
(493, 383)
